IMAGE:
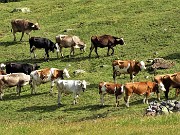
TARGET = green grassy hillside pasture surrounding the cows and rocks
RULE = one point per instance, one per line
(147, 26)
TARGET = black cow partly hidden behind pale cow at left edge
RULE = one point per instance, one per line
(21, 68)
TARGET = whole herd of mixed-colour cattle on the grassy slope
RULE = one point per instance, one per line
(20, 74)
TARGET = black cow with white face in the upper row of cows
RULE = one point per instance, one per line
(38, 42)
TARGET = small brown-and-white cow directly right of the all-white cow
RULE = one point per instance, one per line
(110, 88)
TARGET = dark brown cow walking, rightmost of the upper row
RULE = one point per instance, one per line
(105, 41)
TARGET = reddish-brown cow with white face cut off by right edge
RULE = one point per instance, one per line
(167, 81)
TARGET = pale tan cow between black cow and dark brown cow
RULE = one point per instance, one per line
(67, 41)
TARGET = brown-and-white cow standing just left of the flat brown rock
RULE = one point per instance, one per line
(131, 67)
